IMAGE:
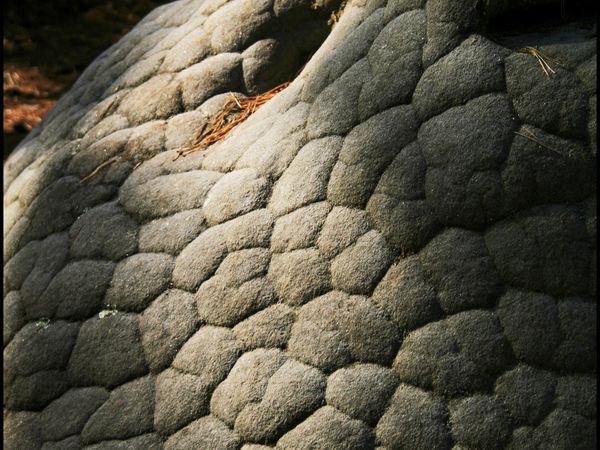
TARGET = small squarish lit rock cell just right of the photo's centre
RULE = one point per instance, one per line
(341, 229)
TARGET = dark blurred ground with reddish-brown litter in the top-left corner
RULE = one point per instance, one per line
(47, 44)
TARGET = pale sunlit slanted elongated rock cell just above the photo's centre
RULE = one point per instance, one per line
(305, 180)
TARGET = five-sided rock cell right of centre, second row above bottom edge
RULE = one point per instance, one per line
(361, 391)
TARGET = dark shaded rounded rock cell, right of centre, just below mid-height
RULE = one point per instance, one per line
(460, 269)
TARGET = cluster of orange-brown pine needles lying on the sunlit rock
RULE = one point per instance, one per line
(234, 111)
